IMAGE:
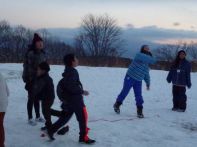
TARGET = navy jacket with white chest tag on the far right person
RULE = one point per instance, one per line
(180, 75)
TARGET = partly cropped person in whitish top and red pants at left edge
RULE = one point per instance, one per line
(4, 93)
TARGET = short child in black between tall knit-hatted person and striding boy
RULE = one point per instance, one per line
(43, 89)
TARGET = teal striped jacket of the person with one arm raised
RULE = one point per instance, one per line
(139, 68)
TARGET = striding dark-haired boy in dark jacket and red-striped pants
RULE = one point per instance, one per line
(74, 103)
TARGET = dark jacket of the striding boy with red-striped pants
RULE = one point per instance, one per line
(72, 86)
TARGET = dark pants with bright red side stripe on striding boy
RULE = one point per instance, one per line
(81, 115)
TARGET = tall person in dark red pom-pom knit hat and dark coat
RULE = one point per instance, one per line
(34, 56)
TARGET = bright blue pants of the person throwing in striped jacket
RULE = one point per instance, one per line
(137, 87)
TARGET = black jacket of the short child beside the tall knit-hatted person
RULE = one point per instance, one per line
(43, 88)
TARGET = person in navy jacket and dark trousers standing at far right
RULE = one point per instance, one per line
(179, 75)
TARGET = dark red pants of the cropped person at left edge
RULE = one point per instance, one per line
(2, 133)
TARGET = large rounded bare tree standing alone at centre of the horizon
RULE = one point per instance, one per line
(100, 36)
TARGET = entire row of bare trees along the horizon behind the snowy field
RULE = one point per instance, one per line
(99, 36)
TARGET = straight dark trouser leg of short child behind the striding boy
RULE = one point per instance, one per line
(47, 111)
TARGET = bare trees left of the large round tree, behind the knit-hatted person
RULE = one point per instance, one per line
(14, 43)
